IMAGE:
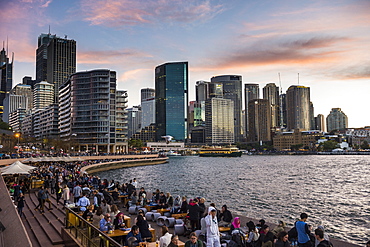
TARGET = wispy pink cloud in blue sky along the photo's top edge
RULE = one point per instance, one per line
(120, 13)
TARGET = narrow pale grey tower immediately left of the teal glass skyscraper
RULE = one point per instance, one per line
(147, 106)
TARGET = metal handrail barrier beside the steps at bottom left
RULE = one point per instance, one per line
(86, 233)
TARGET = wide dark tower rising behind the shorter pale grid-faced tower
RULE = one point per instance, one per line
(232, 89)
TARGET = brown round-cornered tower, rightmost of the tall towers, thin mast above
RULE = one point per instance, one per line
(298, 108)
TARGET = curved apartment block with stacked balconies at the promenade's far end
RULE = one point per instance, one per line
(89, 118)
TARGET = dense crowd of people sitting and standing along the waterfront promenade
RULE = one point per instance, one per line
(100, 198)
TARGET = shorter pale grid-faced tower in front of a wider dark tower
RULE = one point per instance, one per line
(219, 128)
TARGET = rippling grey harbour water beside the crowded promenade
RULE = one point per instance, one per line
(333, 190)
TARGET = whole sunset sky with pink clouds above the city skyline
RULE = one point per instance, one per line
(326, 42)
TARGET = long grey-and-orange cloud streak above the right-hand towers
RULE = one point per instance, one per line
(271, 52)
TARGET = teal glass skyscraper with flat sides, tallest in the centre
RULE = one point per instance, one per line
(171, 100)
